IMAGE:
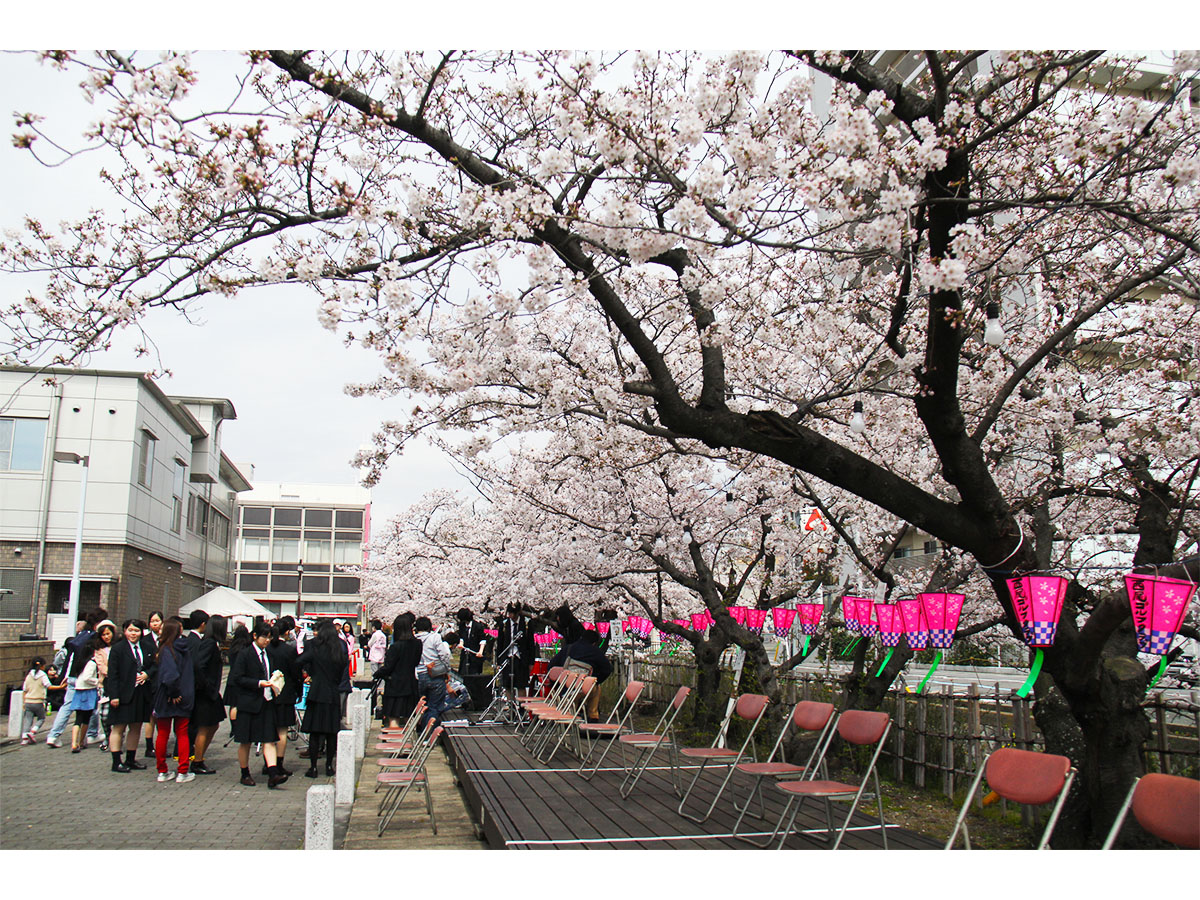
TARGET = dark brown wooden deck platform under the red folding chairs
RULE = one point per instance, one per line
(524, 805)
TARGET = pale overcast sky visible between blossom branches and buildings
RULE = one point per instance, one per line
(263, 350)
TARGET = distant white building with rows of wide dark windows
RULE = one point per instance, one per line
(295, 542)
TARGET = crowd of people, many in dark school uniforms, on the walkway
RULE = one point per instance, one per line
(165, 679)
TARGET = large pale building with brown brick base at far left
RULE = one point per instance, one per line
(160, 496)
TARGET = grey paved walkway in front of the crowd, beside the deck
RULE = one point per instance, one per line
(55, 800)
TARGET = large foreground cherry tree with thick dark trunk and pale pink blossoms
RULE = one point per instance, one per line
(724, 253)
